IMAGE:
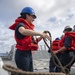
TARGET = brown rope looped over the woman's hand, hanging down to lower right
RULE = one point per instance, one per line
(64, 69)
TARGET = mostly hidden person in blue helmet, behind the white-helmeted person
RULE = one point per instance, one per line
(55, 46)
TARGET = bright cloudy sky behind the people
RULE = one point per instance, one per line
(52, 15)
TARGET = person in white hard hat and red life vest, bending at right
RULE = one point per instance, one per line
(67, 47)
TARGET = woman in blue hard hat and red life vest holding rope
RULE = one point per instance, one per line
(24, 32)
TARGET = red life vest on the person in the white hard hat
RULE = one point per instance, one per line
(72, 36)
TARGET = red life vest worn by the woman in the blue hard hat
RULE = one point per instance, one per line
(26, 42)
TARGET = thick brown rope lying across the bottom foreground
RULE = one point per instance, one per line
(15, 71)
